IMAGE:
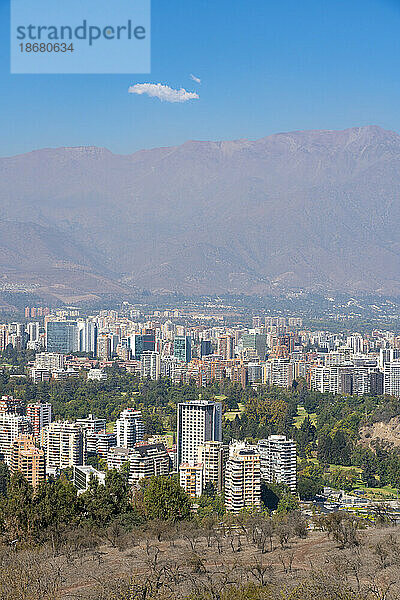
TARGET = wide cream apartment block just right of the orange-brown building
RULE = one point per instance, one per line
(63, 444)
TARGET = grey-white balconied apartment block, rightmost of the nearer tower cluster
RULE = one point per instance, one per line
(278, 460)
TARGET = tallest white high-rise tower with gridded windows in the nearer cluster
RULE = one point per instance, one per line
(199, 421)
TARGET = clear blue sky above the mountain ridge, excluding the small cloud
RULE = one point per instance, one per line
(266, 66)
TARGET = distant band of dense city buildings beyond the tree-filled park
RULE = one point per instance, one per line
(272, 350)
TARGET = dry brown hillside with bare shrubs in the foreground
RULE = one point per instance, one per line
(192, 563)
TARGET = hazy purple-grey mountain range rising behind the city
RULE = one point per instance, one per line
(314, 209)
